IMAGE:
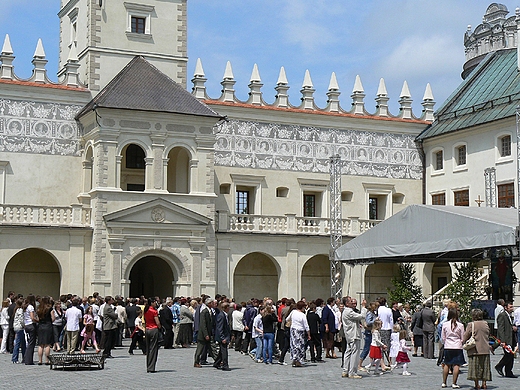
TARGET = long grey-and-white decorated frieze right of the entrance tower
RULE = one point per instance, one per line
(308, 149)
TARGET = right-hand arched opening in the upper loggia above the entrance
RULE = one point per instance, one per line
(178, 170)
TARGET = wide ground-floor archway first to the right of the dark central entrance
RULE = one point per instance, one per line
(255, 276)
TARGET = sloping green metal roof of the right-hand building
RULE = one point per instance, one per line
(491, 92)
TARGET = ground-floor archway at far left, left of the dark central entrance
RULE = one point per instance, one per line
(34, 271)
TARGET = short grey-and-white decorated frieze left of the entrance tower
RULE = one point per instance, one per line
(41, 128)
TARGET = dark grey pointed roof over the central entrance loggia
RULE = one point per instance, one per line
(141, 86)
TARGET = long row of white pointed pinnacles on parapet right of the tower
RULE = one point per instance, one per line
(307, 103)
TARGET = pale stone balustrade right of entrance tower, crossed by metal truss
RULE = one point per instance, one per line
(288, 224)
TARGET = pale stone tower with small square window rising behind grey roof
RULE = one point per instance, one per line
(105, 35)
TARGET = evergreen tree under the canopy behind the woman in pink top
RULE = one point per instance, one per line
(463, 289)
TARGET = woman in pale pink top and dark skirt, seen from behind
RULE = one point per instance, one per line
(452, 335)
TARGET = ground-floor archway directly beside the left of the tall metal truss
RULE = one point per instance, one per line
(316, 278)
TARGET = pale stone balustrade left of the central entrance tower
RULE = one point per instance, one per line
(74, 215)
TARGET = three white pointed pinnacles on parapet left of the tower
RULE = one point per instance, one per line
(70, 77)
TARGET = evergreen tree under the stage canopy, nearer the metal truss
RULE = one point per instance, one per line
(406, 289)
